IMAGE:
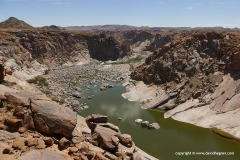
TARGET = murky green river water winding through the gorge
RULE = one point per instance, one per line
(172, 139)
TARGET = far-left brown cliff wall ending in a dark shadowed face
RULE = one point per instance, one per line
(57, 47)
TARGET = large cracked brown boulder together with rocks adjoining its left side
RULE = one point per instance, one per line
(40, 113)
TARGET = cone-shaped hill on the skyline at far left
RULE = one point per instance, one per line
(13, 22)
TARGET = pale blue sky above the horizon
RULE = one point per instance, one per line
(162, 13)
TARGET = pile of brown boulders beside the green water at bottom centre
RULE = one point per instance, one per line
(109, 137)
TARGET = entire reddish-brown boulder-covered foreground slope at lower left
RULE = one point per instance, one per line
(34, 127)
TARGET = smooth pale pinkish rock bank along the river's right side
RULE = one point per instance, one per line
(192, 111)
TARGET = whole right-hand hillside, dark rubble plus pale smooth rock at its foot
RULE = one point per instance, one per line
(199, 75)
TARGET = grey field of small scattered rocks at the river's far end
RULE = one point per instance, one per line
(71, 83)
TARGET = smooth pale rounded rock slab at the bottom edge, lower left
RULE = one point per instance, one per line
(45, 154)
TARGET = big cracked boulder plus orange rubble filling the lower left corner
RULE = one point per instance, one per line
(29, 121)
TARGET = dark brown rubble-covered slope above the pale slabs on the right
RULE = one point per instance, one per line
(187, 66)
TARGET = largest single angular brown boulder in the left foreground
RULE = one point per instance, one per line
(52, 118)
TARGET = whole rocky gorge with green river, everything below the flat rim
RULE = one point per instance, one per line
(52, 79)
